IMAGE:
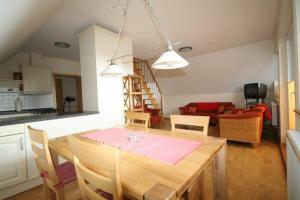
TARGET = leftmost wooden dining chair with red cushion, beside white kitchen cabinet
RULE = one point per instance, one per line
(60, 179)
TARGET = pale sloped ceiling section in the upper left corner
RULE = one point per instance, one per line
(19, 19)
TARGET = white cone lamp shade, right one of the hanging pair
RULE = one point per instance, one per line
(170, 60)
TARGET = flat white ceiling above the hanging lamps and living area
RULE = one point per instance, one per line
(194, 22)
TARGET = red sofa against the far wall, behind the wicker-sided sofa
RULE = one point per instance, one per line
(211, 109)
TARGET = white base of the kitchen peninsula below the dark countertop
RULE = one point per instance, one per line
(20, 165)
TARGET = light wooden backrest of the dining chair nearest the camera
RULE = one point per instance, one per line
(97, 169)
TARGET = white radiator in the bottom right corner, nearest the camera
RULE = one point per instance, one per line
(293, 165)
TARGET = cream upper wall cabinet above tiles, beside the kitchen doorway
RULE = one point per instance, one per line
(37, 80)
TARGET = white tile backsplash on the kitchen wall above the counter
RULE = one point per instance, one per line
(7, 101)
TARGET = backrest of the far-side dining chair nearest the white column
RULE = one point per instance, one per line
(137, 119)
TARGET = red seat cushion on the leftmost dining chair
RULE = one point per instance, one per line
(65, 172)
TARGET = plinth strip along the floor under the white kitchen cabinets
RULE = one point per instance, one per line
(16, 189)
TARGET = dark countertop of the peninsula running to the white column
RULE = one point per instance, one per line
(41, 116)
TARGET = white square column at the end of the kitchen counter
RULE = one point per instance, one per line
(103, 94)
